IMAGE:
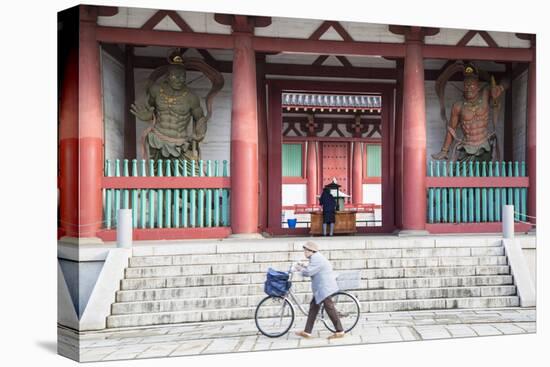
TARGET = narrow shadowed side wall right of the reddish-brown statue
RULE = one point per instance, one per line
(519, 116)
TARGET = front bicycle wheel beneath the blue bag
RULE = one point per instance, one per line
(274, 316)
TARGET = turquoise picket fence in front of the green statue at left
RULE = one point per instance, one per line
(167, 208)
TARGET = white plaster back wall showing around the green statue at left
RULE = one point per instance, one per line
(216, 145)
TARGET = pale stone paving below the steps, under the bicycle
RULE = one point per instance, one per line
(242, 336)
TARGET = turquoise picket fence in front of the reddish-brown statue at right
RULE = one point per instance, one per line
(475, 204)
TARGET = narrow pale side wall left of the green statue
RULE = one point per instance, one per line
(112, 76)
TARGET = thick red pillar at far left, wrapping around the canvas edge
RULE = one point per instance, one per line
(81, 135)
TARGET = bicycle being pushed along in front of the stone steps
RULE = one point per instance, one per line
(275, 315)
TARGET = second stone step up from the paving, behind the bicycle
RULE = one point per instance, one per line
(235, 301)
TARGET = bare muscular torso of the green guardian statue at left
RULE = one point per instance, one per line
(174, 109)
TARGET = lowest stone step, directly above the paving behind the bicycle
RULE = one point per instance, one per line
(159, 318)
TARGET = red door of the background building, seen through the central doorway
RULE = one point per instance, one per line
(335, 164)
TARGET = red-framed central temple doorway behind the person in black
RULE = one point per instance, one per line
(324, 132)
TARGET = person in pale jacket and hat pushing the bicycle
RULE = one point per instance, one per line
(323, 285)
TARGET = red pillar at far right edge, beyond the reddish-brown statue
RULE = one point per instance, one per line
(532, 135)
